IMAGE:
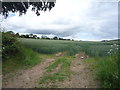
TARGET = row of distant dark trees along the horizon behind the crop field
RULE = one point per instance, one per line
(32, 36)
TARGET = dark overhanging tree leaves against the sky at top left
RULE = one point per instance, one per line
(22, 7)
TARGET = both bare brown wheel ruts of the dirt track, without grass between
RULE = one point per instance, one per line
(81, 76)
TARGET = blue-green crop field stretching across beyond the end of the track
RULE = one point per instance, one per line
(94, 49)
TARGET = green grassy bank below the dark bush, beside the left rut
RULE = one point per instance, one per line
(29, 59)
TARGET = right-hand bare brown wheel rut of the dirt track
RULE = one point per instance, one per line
(81, 75)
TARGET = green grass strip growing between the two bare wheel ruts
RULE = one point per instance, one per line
(60, 75)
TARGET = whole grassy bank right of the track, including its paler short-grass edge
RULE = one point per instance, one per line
(106, 70)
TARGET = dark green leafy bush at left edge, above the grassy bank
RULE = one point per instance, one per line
(10, 45)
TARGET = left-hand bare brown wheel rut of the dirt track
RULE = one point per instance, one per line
(27, 78)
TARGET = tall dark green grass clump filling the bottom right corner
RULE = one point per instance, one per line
(108, 72)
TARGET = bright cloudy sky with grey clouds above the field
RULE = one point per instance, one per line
(74, 19)
